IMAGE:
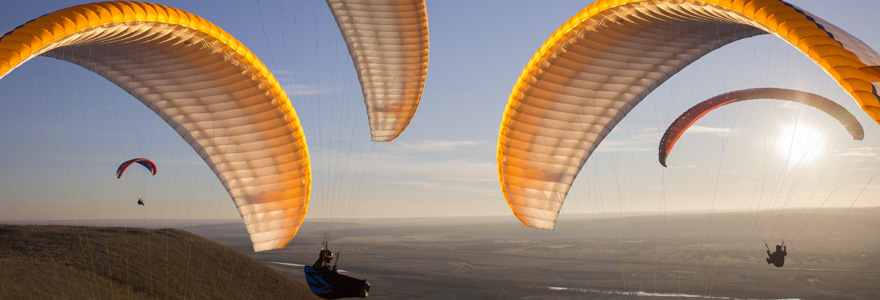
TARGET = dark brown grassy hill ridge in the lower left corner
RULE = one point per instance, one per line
(71, 262)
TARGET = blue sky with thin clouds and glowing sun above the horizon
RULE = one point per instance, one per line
(64, 129)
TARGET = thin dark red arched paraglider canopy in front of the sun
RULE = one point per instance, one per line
(688, 118)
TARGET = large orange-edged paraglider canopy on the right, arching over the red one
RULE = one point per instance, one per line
(591, 72)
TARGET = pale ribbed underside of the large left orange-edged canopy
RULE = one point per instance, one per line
(218, 104)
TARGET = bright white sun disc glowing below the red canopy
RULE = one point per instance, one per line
(799, 142)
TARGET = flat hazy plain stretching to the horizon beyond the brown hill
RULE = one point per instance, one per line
(640, 257)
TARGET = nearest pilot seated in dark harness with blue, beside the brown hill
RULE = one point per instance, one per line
(326, 282)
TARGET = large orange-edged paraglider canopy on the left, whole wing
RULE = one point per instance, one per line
(218, 96)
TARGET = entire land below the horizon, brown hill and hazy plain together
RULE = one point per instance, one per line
(833, 254)
